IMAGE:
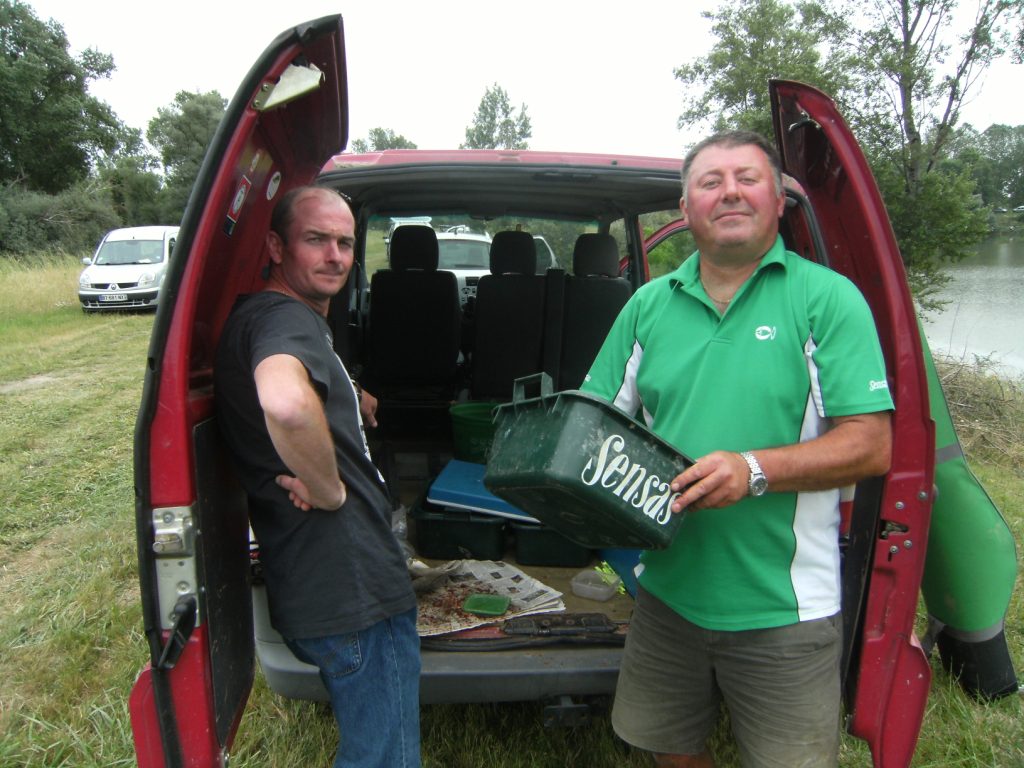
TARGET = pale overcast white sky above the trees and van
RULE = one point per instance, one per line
(595, 76)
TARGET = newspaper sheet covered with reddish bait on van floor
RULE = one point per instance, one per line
(442, 591)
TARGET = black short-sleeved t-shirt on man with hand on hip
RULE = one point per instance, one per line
(327, 573)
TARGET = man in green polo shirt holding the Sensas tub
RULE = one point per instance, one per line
(769, 368)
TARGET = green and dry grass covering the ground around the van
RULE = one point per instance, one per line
(71, 639)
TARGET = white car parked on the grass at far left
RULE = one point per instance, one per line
(127, 270)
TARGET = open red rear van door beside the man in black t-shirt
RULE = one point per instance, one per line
(287, 119)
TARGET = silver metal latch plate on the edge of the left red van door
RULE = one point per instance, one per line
(175, 538)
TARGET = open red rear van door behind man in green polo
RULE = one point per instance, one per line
(888, 675)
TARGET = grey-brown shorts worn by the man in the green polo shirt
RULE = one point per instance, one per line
(782, 688)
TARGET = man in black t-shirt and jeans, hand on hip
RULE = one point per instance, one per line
(337, 585)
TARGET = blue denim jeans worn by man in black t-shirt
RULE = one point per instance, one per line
(373, 678)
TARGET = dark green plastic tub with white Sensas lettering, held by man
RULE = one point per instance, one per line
(585, 468)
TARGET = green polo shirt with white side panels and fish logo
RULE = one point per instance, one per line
(797, 347)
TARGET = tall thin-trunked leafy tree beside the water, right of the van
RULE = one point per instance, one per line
(921, 76)
